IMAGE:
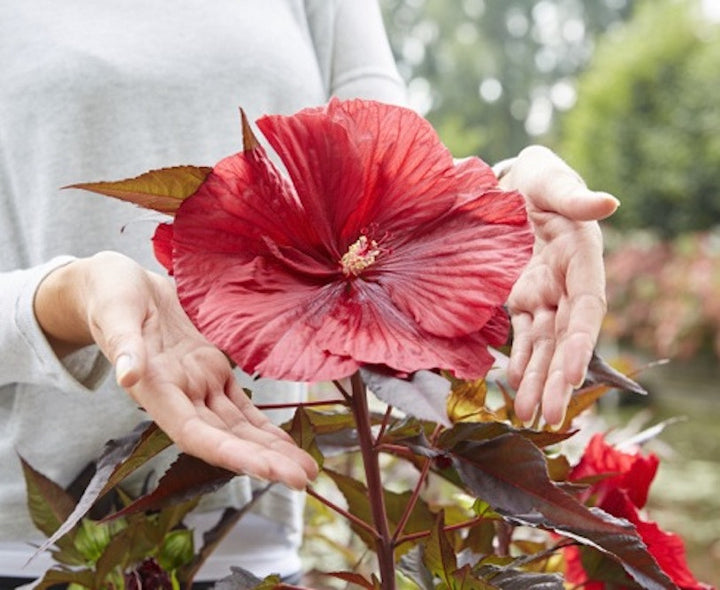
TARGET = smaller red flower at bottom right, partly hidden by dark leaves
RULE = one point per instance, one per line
(622, 493)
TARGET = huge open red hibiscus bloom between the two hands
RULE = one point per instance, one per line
(378, 249)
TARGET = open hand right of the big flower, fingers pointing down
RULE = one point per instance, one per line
(558, 303)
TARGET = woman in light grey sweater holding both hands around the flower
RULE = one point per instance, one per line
(95, 90)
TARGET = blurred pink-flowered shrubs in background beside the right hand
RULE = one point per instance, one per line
(663, 296)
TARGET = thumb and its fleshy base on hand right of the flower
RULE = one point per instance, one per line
(551, 185)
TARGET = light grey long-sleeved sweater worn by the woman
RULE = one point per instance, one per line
(100, 90)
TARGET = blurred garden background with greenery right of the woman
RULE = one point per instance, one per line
(628, 92)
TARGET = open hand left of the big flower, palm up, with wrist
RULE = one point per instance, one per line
(184, 383)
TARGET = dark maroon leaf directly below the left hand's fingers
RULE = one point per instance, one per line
(188, 477)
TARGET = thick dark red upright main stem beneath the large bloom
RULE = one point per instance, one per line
(384, 544)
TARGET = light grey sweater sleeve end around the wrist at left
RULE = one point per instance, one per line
(28, 357)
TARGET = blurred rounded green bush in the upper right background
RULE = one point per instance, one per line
(647, 126)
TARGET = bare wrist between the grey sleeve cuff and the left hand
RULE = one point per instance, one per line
(60, 310)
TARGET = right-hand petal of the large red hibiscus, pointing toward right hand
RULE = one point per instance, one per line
(459, 260)
